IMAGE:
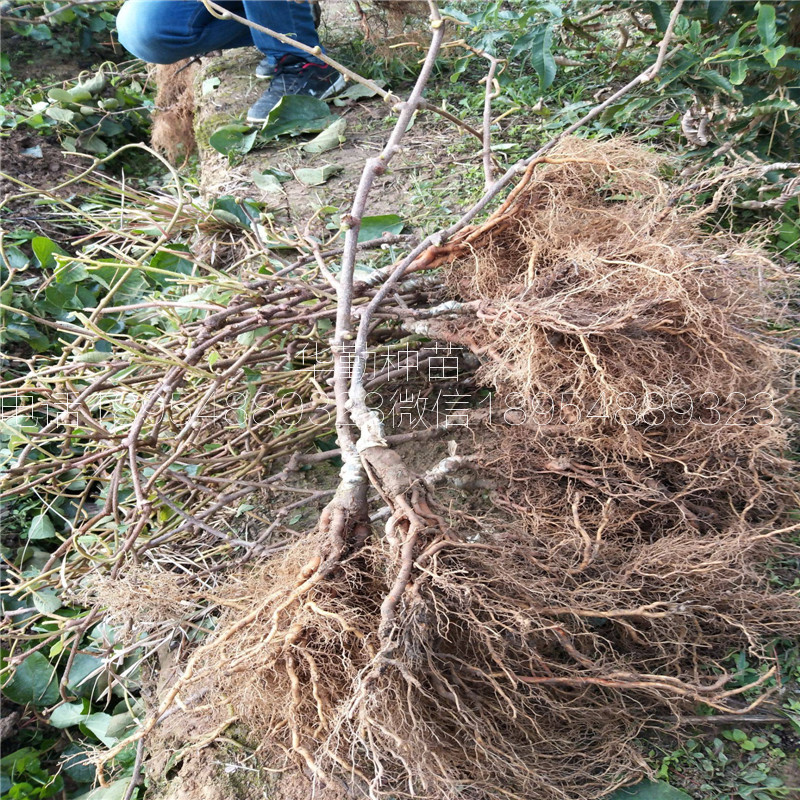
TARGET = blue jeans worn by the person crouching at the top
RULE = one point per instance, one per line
(166, 31)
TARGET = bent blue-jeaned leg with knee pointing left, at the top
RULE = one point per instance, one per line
(166, 31)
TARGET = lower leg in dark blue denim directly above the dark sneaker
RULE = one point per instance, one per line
(293, 18)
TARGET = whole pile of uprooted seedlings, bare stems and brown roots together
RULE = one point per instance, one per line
(625, 487)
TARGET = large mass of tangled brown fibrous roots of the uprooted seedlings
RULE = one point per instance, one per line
(473, 644)
